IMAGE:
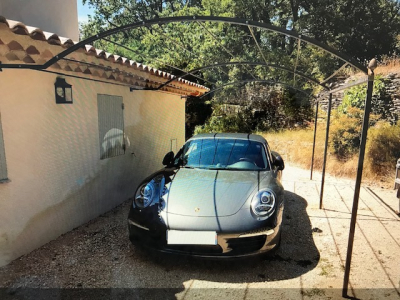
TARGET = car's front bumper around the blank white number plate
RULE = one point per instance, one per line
(231, 245)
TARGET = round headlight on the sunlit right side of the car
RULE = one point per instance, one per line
(263, 204)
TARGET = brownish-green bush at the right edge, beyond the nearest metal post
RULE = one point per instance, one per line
(383, 147)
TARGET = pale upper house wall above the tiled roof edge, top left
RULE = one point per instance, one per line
(56, 16)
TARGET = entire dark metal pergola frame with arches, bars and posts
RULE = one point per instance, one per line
(195, 73)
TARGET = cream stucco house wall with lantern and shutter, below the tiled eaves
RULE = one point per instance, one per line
(57, 180)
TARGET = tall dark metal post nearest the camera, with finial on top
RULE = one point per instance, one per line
(358, 182)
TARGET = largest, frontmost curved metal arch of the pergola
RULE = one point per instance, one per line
(167, 20)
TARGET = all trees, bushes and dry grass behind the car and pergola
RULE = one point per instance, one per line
(363, 29)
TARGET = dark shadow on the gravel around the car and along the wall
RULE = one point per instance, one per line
(97, 260)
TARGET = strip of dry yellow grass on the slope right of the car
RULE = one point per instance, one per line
(295, 146)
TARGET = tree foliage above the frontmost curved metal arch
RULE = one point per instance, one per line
(361, 28)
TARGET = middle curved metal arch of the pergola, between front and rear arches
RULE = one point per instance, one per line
(248, 63)
